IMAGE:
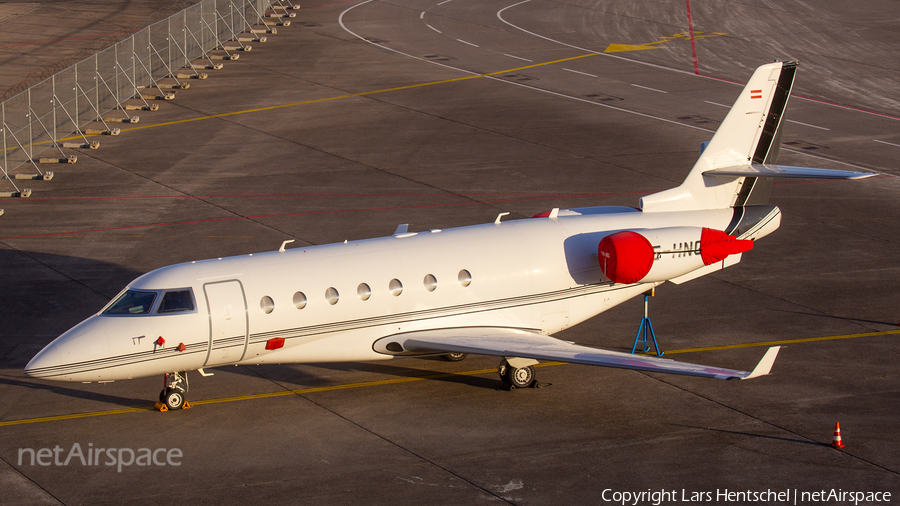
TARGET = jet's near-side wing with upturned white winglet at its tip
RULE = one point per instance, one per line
(507, 342)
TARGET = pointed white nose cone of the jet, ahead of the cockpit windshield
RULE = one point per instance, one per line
(73, 356)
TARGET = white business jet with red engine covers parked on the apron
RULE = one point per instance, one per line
(501, 288)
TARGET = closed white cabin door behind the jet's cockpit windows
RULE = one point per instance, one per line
(227, 322)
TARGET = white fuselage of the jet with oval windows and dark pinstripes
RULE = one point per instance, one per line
(539, 274)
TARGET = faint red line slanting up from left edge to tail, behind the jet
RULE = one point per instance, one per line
(374, 209)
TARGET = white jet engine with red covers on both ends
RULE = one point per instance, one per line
(660, 254)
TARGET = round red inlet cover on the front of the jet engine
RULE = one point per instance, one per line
(625, 257)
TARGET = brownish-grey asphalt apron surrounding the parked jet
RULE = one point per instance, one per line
(364, 115)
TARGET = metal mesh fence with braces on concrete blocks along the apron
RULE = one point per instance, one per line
(66, 109)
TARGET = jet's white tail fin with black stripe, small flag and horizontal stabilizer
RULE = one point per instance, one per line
(736, 167)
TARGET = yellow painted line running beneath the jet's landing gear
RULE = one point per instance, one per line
(395, 381)
